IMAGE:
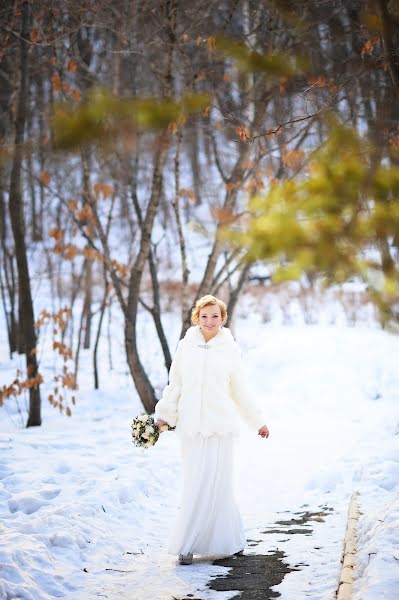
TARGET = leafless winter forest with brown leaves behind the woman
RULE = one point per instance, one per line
(152, 152)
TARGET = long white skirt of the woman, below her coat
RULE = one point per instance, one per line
(208, 521)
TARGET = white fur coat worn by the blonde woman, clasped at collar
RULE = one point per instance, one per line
(208, 387)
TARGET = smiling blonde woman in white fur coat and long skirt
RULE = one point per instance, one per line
(206, 391)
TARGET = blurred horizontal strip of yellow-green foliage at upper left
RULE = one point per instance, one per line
(103, 117)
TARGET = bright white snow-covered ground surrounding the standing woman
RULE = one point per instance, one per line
(84, 514)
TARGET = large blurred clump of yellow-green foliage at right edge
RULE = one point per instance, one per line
(337, 221)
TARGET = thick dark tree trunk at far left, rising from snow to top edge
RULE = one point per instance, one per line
(17, 222)
